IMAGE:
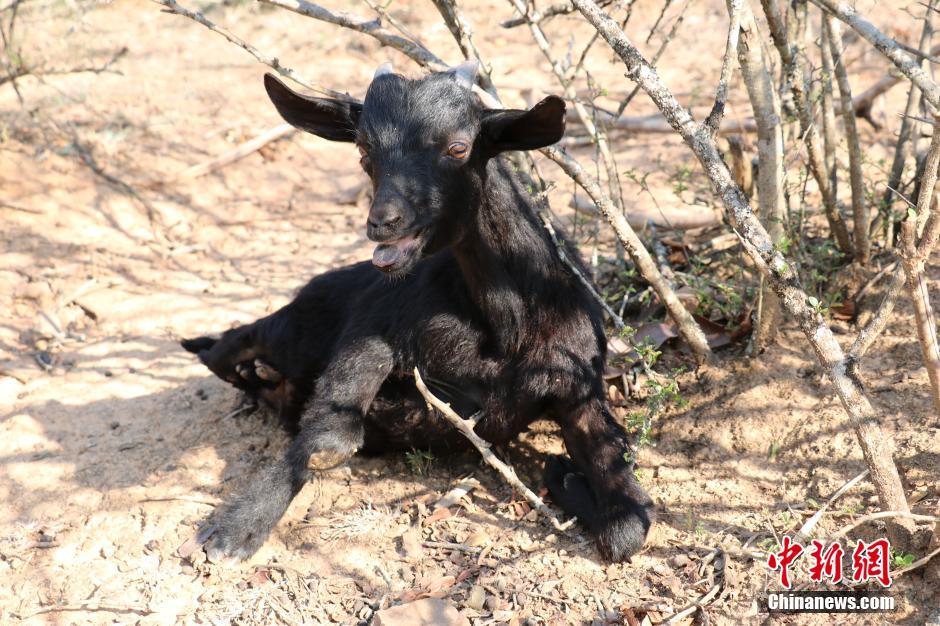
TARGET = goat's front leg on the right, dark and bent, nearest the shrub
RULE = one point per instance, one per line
(598, 484)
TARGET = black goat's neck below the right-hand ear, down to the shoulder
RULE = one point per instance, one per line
(510, 264)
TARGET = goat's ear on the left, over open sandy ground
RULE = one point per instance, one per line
(331, 119)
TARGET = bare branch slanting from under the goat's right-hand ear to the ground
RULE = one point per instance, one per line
(688, 328)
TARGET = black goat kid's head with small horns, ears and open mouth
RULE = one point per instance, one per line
(425, 144)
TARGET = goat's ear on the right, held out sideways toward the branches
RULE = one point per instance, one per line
(540, 126)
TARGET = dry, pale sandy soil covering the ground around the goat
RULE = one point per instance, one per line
(115, 444)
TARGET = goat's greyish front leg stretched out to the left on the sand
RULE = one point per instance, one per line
(331, 430)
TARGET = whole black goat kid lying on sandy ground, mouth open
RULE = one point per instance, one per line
(464, 284)
